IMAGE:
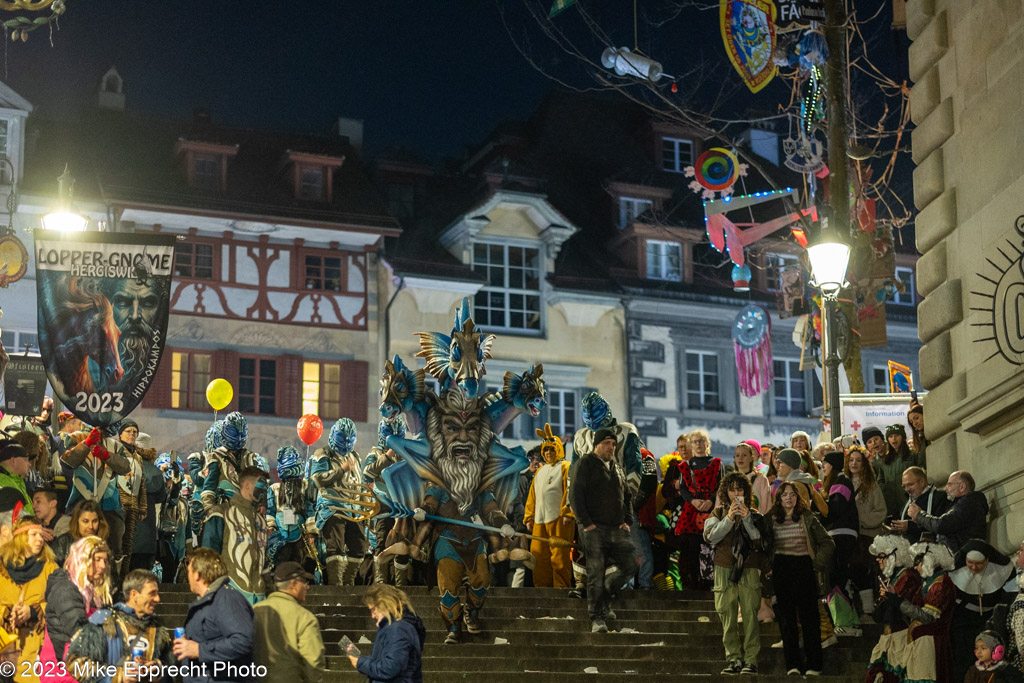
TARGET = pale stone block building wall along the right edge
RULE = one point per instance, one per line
(968, 106)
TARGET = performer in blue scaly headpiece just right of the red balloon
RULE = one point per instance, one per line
(337, 476)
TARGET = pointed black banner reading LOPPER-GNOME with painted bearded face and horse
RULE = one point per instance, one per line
(104, 300)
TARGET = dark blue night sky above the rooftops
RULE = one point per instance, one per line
(432, 75)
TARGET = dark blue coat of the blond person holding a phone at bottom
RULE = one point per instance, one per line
(398, 653)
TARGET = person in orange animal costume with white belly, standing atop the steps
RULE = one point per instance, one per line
(548, 515)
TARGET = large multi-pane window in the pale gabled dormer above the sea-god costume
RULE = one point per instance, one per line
(511, 298)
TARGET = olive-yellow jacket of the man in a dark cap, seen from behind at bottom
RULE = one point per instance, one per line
(289, 641)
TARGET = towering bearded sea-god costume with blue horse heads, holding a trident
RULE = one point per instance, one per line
(456, 472)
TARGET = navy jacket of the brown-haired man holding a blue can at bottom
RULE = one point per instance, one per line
(222, 622)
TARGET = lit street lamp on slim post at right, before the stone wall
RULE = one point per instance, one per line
(830, 257)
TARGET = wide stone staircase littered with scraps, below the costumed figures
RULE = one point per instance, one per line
(658, 635)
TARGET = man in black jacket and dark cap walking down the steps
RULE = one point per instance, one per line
(601, 501)
